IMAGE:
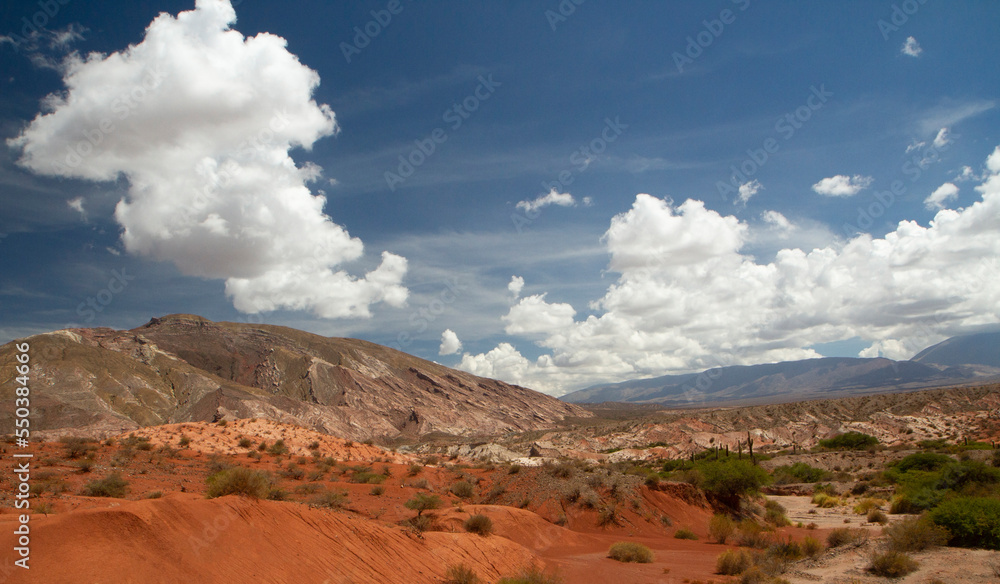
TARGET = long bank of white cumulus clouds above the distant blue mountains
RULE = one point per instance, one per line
(687, 298)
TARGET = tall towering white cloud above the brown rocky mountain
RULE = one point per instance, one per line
(200, 120)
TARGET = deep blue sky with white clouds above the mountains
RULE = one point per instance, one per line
(531, 130)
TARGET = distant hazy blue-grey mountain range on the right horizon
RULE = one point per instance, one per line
(956, 361)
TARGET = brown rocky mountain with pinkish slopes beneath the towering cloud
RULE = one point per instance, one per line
(186, 368)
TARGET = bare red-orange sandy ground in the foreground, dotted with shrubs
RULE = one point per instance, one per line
(184, 537)
